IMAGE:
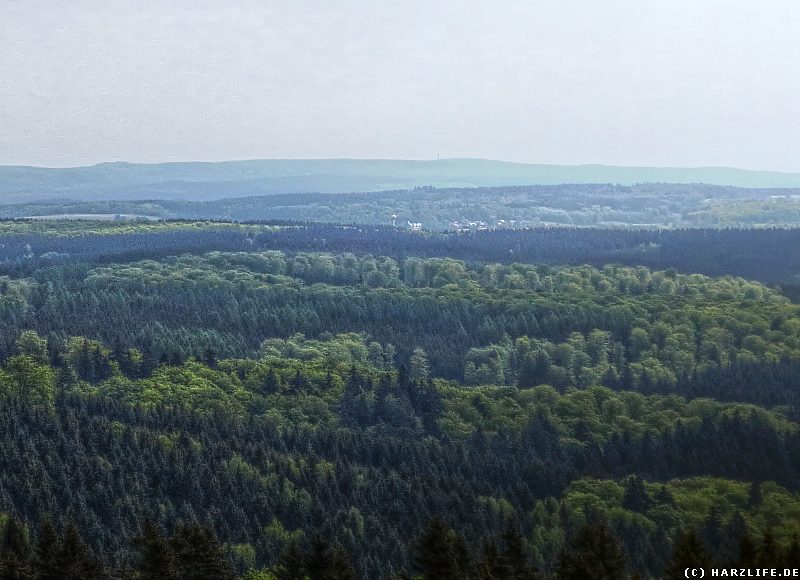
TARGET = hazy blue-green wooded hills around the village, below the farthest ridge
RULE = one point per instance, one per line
(663, 205)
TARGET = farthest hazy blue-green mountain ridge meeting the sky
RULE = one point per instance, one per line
(218, 180)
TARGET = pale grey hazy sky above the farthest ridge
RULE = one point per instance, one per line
(640, 82)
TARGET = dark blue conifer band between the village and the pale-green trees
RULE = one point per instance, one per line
(769, 255)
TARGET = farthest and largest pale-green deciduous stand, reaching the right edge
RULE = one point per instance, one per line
(652, 329)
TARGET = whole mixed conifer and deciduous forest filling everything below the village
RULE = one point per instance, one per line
(280, 401)
